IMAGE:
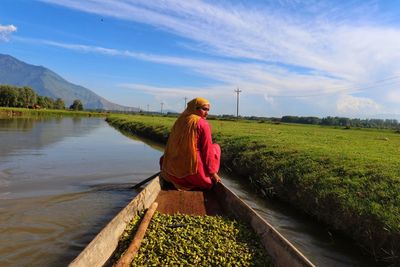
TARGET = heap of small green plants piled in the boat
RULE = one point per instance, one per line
(187, 240)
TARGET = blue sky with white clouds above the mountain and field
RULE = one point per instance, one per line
(287, 57)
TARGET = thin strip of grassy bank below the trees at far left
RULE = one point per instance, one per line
(25, 112)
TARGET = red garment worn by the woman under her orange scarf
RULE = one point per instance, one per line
(208, 155)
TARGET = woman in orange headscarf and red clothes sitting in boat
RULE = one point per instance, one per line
(191, 161)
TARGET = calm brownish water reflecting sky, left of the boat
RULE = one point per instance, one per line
(61, 181)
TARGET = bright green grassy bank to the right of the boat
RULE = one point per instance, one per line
(346, 178)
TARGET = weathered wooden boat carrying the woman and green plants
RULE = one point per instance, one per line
(219, 200)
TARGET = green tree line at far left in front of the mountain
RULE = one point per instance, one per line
(26, 97)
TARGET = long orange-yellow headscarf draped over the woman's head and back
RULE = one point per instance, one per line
(180, 156)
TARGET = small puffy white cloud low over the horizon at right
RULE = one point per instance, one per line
(351, 106)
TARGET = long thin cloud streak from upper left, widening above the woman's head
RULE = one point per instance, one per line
(258, 77)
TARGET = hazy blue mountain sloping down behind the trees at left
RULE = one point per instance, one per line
(47, 83)
